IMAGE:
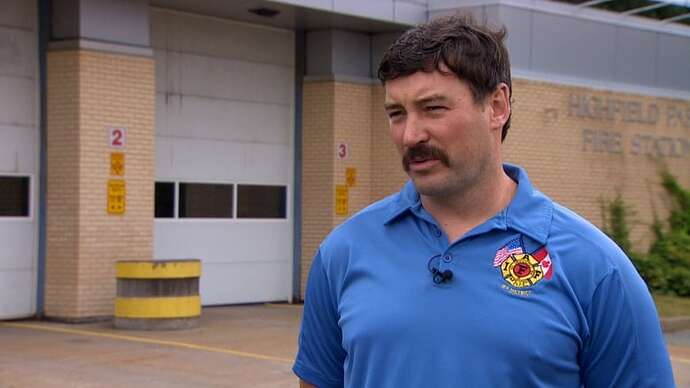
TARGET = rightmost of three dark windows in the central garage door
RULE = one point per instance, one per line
(257, 201)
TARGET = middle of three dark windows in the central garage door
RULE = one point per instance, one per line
(205, 200)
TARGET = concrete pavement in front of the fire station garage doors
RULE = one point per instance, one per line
(238, 346)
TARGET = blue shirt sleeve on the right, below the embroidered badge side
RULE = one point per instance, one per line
(625, 347)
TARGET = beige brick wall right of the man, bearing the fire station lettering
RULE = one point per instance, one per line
(547, 139)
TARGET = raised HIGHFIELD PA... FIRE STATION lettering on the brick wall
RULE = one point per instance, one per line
(611, 110)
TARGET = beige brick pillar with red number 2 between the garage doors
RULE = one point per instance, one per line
(88, 92)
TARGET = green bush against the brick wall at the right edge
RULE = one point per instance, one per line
(666, 267)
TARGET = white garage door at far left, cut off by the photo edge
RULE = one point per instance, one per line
(19, 144)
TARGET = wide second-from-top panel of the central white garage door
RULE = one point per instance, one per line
(229, 79)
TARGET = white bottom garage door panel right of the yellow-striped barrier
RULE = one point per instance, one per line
(234, 283)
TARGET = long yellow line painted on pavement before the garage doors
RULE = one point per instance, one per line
(176, 344)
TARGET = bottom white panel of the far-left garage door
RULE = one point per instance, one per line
(17, 294)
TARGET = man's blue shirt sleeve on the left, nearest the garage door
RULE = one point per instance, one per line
(320, 356)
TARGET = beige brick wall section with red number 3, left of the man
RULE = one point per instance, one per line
(333, 113)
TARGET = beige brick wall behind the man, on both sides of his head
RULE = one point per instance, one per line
(545, 138)
